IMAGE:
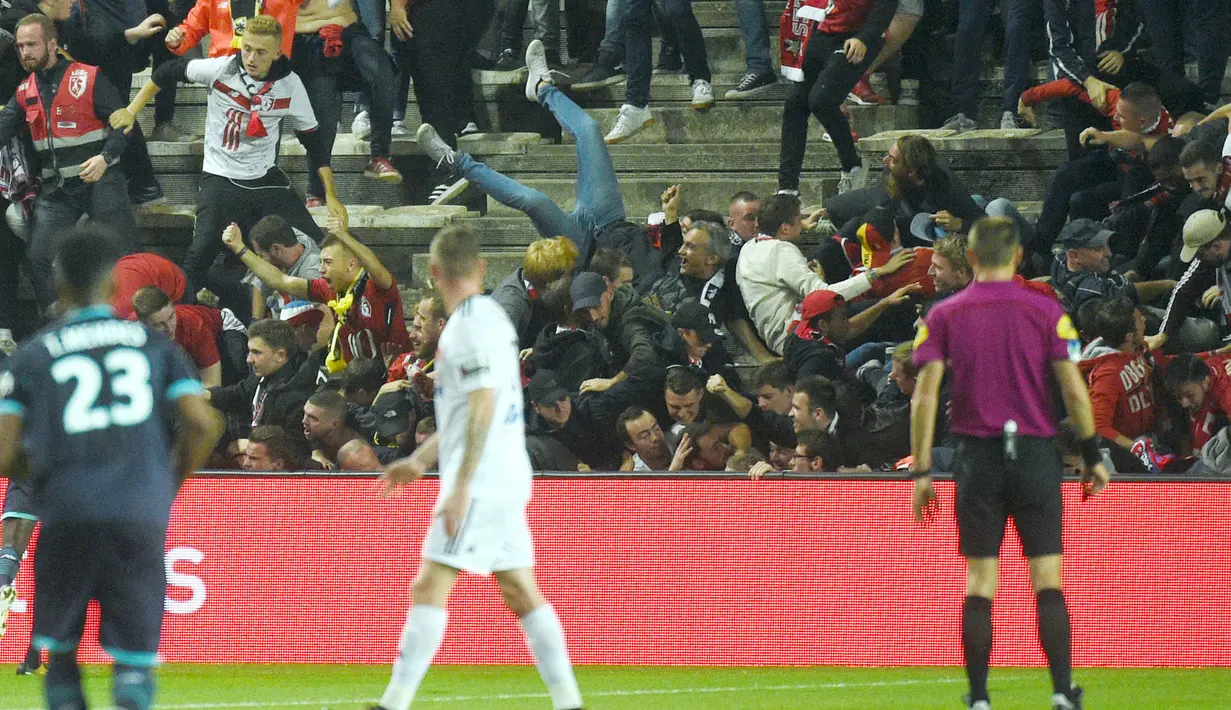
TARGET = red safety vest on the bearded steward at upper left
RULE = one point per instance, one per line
(71, 134)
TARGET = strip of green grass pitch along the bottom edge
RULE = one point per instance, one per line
(646, 688)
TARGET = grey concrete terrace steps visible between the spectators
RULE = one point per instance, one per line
(715, 154)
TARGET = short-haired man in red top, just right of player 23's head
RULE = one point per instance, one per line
(215, 340)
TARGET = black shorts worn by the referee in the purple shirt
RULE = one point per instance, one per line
(993, 489)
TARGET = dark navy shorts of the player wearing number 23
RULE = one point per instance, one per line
(120, 565)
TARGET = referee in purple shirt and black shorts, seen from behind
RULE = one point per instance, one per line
(1006, 345)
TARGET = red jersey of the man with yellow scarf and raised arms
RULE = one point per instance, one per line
(375, 319)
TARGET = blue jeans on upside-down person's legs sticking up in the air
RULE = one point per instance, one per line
(599, 199)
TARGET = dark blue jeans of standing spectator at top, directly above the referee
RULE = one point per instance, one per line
(973, 17)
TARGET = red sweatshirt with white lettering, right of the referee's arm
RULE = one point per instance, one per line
(1122, 393)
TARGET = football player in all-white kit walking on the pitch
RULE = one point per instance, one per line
(479, 521)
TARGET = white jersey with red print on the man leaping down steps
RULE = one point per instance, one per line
(244, 118)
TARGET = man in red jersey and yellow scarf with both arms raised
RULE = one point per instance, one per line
(358, 289)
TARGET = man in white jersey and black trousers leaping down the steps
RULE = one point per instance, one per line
(251, 95)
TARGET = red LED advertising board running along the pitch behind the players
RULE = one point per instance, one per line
(665, 572)
